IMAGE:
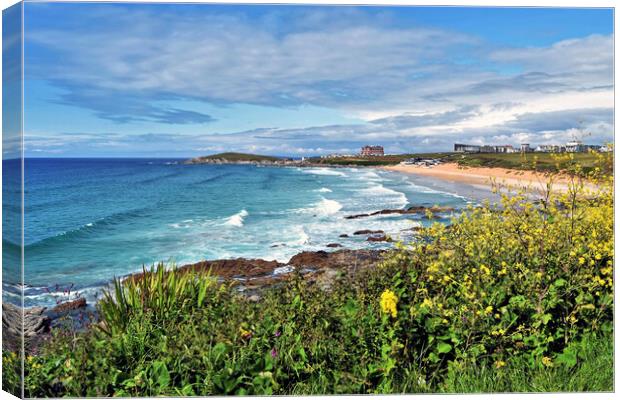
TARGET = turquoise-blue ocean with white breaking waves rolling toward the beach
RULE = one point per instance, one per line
(89, 220)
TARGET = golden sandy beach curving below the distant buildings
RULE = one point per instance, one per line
(484, 177)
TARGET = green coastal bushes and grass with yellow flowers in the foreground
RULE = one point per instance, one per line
(516, 296)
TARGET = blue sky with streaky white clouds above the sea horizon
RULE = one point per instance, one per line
(157, 80)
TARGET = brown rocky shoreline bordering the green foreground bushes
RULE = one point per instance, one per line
(250, 276)
